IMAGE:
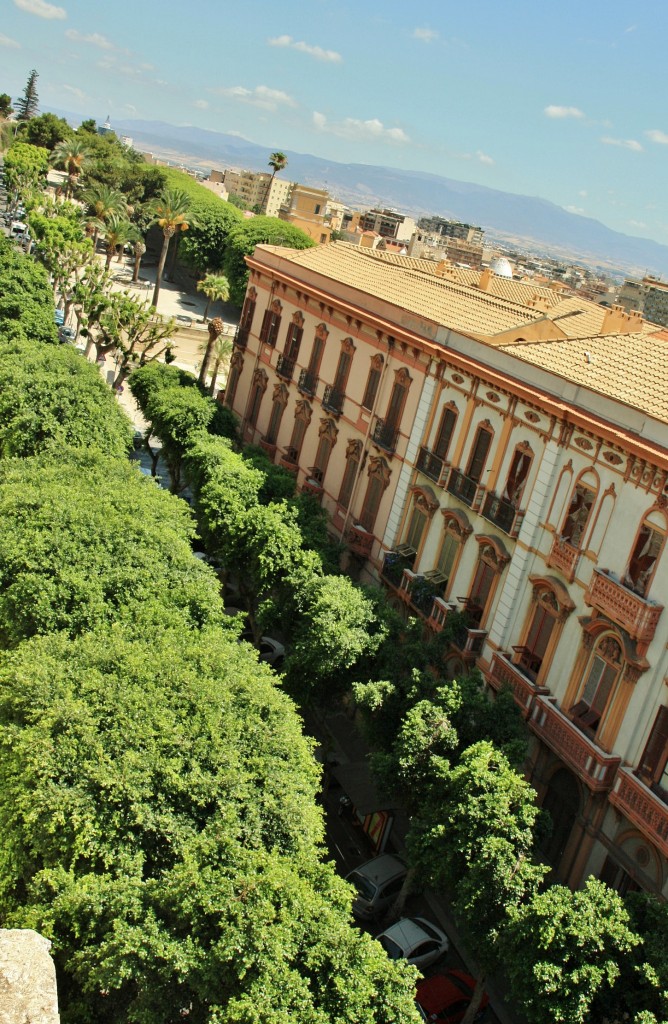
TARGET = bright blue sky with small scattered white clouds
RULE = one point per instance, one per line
(565, 102)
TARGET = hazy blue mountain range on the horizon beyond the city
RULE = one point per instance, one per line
(525, 221)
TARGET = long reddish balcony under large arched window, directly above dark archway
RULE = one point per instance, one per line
(590, 762)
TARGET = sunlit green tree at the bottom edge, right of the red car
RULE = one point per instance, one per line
(564, 949)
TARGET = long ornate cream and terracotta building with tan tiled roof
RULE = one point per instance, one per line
(494, 448)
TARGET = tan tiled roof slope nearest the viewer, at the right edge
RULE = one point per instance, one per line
(631, 368)
